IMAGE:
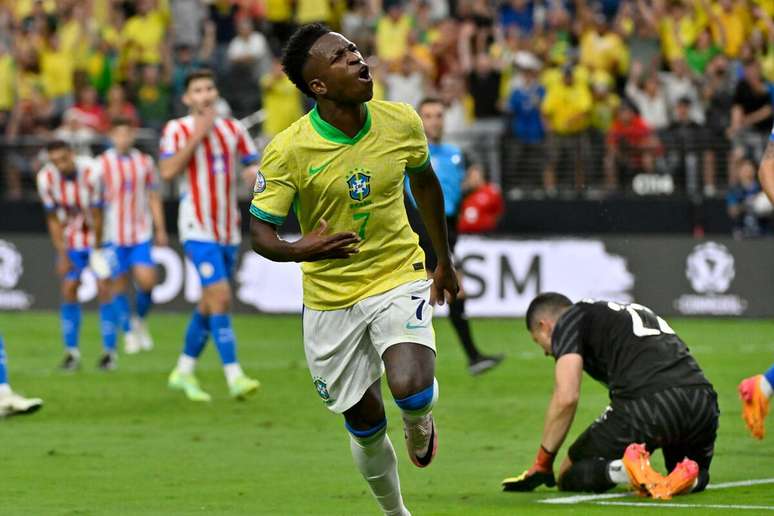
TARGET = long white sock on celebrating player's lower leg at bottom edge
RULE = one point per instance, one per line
(377, 463)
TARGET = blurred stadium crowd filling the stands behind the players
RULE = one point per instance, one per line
(586, 96)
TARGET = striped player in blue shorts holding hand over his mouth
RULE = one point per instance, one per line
(200, 149)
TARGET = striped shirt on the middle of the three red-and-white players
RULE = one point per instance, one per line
(128, 181)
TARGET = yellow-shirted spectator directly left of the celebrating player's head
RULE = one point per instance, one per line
(281, 101)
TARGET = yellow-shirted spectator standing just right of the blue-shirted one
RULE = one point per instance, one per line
(567, 109)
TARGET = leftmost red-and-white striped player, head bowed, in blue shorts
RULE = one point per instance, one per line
(71, 191)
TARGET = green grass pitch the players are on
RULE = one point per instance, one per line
(122, 443)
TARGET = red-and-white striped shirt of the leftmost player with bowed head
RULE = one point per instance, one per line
(72, 198)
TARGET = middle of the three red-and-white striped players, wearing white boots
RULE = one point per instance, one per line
(132, 210)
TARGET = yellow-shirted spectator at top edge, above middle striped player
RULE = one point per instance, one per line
(144, 34)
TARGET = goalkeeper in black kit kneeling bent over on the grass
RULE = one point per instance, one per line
(658, 396)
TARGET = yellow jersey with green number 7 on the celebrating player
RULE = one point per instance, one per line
(355, 184)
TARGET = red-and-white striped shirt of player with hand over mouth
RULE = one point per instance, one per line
(208, 187)
